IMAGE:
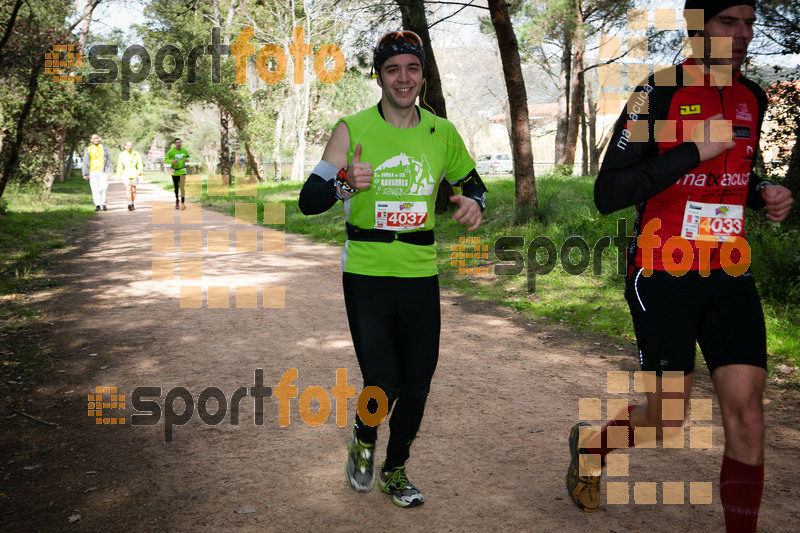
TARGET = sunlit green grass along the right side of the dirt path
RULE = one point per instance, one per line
(588, 302)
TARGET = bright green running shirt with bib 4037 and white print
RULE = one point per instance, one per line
(407, 166)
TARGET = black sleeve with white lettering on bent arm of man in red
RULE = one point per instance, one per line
(634, 171)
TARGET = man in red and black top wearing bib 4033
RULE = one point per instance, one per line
(682, 154)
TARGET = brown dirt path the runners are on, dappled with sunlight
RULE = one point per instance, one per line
(491, 454)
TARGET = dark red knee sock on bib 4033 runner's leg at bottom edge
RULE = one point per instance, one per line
(740, 489)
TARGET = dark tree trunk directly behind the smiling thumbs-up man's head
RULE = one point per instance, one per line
(415, 19)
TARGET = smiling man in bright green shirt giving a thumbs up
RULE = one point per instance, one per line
(385, 164)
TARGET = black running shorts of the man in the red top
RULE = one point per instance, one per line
(720, 312)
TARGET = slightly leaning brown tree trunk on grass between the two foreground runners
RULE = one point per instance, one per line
(525, 195)
